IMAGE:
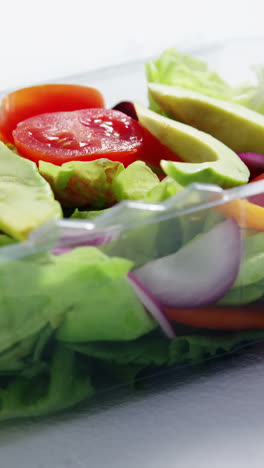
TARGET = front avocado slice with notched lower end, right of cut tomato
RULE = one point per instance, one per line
(209, 160)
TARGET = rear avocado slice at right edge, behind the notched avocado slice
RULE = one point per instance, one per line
(240, 128)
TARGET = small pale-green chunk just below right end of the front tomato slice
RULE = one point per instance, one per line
(134, 182)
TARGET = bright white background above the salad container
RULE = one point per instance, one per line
(48, 39)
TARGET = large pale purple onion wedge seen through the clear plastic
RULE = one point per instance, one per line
(199, 273)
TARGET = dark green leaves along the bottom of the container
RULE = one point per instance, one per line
(72, 372)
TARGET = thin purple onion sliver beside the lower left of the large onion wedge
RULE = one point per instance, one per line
(151, 304)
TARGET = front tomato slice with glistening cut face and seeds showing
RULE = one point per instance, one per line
(84, 135)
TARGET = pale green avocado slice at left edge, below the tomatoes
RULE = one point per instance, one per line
(26, 199)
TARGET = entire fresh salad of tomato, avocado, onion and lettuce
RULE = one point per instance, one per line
(173, 272)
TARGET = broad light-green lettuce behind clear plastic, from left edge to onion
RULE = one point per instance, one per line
(64, 291)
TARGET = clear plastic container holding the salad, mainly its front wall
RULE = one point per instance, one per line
(61, 338)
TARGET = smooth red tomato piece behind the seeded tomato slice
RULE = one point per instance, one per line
(28, 102)
